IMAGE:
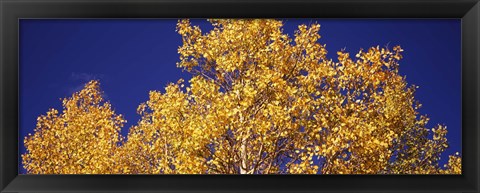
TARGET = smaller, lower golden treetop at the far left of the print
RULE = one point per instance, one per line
(80, 140)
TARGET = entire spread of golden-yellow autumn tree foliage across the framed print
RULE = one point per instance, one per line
(259, 102)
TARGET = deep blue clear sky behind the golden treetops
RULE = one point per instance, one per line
(131, 57)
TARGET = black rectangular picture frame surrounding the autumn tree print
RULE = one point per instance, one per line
(12, 10)
